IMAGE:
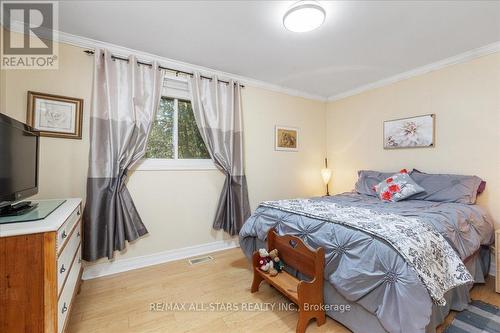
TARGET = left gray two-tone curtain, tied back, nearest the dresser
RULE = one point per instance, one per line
(124, 101)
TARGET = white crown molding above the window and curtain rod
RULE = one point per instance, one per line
(85, 42)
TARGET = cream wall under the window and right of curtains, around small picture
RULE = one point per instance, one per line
(178, 207)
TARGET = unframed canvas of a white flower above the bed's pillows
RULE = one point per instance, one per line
(414, 132)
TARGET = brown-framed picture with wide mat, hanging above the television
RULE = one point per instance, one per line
(55, 116)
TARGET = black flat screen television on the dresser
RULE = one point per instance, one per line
(19, 149)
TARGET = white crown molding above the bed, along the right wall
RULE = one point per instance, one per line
(457, 59)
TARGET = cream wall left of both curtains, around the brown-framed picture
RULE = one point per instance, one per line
(63, 162)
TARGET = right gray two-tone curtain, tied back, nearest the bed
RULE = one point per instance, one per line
(217, 110)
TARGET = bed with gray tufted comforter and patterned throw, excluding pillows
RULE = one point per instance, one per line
(381, 285)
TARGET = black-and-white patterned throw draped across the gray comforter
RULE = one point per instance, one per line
(424, 249)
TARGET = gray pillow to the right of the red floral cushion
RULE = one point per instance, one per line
(446, 188)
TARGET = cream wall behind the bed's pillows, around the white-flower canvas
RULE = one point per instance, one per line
(466, 100)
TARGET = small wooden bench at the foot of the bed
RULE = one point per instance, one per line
(308, 295)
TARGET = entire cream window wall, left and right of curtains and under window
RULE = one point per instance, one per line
(177, 206)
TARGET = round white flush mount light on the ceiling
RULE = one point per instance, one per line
(304, 16)
